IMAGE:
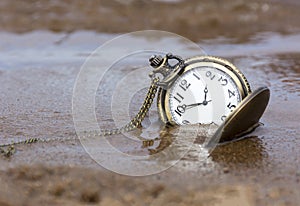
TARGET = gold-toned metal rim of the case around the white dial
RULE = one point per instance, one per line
(193, 62)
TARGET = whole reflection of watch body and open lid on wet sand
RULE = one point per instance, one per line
(246, 152)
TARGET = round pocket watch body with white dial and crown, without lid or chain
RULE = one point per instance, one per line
(201, 89)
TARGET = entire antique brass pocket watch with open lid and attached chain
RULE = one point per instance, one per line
(197, 90)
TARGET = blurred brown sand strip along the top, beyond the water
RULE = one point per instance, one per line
(194, 19)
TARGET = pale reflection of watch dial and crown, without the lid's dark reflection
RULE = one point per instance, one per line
(184, 143)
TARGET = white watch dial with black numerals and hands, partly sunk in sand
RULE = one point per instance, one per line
(204, 95)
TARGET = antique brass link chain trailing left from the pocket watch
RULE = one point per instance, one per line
(133, 124)
